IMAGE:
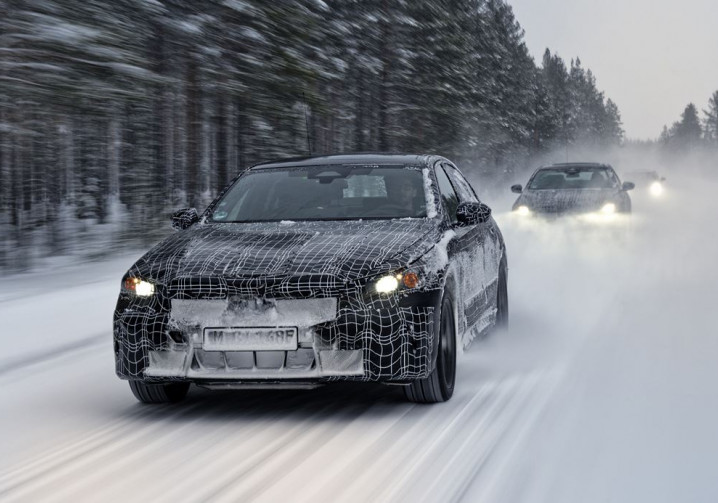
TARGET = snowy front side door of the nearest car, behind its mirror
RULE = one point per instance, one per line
(467, 258)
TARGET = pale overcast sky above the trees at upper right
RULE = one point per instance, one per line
(652, 57)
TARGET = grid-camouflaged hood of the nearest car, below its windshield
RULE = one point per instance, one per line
(349, 250)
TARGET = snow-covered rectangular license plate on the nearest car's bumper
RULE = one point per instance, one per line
(250, 339)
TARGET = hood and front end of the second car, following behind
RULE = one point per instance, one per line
(565, 200)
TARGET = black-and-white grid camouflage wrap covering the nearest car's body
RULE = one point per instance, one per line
(317, 276)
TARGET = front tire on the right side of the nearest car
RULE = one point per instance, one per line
(439, 385)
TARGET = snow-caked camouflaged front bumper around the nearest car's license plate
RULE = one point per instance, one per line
(339, 338)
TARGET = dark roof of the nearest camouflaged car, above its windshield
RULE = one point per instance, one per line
(361, 159)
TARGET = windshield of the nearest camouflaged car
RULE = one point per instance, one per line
(324, 193)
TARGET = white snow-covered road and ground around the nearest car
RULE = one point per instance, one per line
(604, 389)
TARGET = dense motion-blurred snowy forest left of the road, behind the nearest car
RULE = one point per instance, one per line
(113, 114)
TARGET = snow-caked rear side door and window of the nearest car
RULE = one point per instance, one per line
(486, 239)
